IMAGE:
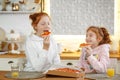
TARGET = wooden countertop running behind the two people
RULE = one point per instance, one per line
(64, 56)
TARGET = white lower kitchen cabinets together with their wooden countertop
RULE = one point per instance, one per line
(69, 59)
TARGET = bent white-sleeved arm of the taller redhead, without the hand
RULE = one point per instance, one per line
(37, 60)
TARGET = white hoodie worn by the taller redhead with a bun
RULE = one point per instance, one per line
(39, 59)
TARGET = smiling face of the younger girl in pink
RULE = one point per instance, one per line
(91, 38)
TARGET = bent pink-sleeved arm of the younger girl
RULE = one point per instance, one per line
(100, 65)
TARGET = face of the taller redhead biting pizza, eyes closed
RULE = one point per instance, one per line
(43, 24)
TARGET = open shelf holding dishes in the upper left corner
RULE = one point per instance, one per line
(16, 6)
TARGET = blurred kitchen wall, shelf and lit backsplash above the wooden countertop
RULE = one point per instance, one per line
(70, 19)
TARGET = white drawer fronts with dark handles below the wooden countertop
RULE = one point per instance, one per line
(21, 61)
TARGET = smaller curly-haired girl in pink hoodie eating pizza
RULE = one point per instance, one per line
(95, 57)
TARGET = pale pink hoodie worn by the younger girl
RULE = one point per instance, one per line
(98, 61)
